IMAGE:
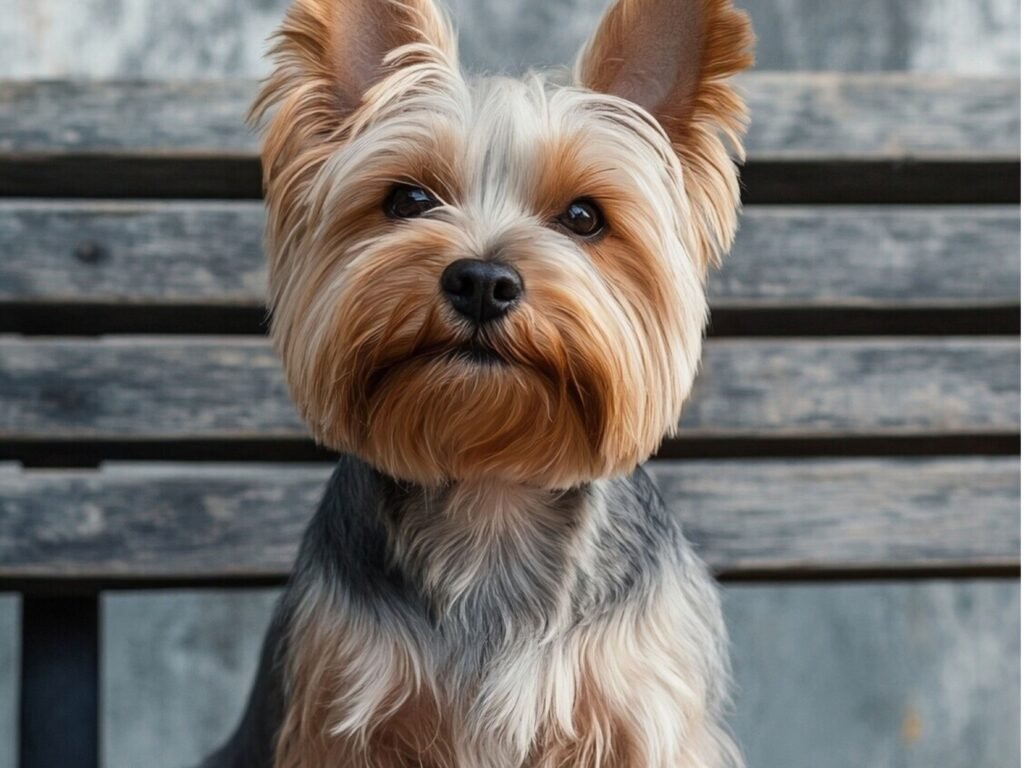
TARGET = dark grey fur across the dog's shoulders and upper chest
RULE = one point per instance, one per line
(351, 546)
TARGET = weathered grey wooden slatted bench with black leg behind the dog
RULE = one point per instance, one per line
(858, 415)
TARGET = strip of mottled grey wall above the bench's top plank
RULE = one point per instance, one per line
(226, 38)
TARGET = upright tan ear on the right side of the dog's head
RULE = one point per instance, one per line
(673, 58)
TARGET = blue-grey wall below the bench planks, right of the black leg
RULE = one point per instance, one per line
(919, 675)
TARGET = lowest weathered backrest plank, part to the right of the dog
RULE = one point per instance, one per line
(848, 515)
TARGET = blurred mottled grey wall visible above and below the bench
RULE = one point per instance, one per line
(904, 673)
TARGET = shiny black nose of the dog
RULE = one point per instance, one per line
(480, 290)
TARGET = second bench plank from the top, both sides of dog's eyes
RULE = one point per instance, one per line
(211, 253)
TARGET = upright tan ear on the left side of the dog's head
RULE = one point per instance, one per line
(329, 54)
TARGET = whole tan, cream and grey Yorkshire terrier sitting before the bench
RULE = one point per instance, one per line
(489, 296)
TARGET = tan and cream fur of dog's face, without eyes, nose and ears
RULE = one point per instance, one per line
(601, 360)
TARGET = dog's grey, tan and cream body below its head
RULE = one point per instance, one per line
(564, 642)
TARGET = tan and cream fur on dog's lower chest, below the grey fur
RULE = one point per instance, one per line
(626, 691)
